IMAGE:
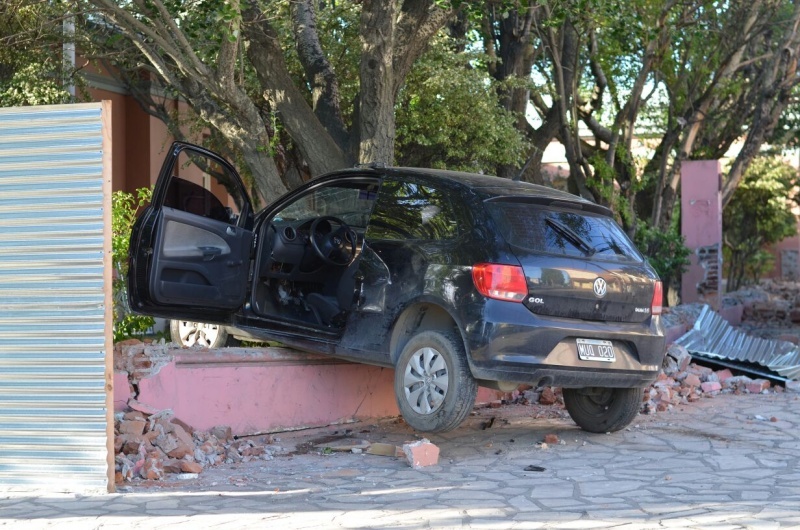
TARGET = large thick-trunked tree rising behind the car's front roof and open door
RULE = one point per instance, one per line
(203, 51)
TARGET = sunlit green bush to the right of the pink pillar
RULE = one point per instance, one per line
(759, 214)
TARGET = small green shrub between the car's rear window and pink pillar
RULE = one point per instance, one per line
(665, 251)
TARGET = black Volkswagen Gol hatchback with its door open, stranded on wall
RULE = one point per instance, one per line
(454, 279)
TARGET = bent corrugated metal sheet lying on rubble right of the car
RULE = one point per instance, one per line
(712, 336)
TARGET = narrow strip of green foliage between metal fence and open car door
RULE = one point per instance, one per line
(124, 207)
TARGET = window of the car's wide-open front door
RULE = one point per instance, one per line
(201, 186)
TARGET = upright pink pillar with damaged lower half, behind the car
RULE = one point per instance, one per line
(701, 225)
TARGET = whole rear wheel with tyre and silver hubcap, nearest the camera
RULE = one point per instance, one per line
(434, 387)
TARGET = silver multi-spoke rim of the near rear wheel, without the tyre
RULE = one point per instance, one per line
(425, 381)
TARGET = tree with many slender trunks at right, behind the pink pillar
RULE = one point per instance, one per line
(687, 77)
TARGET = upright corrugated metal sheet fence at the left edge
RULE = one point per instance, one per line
(53, 415)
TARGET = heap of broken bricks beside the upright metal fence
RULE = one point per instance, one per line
(150, 445)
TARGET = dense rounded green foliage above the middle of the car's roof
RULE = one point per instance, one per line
(448, 116)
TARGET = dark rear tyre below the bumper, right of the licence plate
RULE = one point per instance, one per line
(602, 409)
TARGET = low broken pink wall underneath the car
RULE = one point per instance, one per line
(259, 389)
